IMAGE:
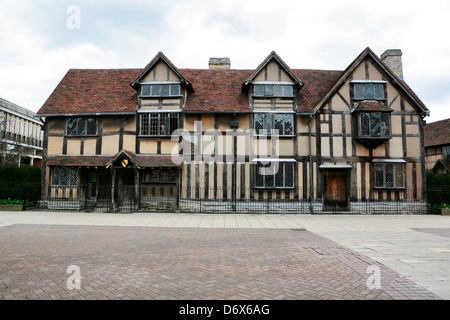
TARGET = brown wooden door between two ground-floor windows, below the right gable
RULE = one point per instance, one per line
(335, 190)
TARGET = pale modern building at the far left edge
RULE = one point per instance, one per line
(21, 135)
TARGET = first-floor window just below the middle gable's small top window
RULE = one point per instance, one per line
(274, 124)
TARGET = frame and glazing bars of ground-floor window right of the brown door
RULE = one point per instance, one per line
(389, 185)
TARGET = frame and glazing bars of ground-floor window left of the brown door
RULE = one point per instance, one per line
(273, 185)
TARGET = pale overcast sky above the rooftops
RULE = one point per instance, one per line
(40, 40)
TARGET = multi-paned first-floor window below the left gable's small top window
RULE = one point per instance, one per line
(158, 124)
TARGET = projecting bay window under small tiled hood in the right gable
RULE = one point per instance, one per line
(374, 125)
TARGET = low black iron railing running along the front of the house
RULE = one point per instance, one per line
(169, 198)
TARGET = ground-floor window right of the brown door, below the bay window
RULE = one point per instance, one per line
(389, 175)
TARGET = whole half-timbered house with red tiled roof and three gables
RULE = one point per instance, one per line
(320, 140)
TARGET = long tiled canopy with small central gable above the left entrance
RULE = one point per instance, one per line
(137, 161)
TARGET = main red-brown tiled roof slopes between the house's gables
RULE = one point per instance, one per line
(108, 91)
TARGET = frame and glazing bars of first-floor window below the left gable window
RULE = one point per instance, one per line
(145, 125)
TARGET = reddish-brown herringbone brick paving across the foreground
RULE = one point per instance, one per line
(188, 264)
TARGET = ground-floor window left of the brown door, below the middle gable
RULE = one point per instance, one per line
(274, 175)
